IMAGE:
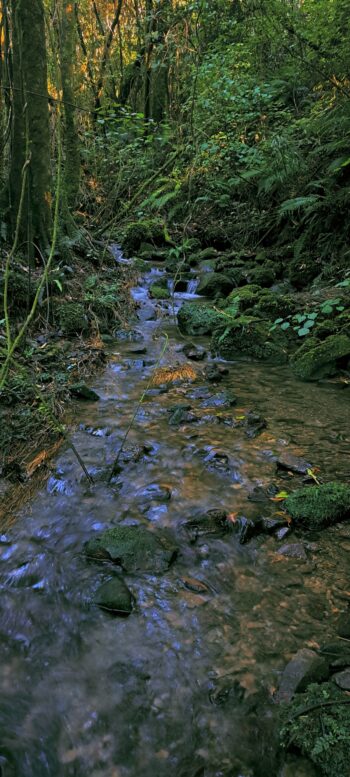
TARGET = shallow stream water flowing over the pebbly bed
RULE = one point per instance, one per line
(180, 688)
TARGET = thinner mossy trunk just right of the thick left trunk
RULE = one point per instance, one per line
(71, 146)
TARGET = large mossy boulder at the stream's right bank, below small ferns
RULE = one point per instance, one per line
(250, 336)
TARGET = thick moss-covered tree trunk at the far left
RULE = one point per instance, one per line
(30, 124)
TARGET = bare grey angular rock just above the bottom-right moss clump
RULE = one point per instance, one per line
(306, 667)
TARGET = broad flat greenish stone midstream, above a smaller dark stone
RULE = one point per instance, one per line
(134, 548)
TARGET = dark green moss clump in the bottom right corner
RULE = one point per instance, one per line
(321, 733)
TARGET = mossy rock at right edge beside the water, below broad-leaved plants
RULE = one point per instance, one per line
(322, 360)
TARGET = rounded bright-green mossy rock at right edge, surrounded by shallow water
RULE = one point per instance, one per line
(318, 506)
